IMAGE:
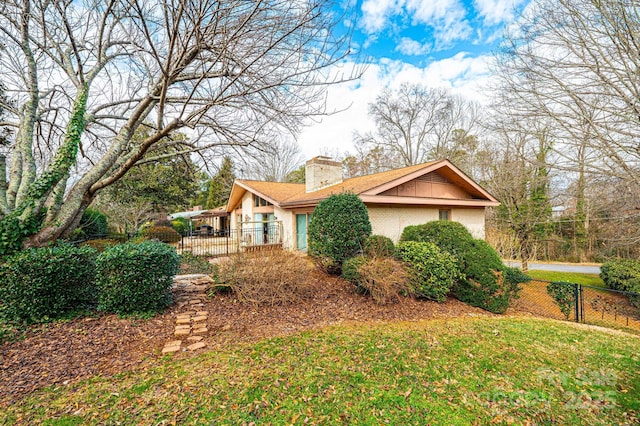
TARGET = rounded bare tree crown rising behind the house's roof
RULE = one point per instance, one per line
(418, 123)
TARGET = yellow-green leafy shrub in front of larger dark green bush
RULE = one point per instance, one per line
(433, 271)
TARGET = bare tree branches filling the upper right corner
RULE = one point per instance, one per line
(575, 63)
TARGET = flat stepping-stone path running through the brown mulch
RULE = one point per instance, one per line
(191, 319)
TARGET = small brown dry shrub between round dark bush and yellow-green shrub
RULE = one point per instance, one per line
(385, 279)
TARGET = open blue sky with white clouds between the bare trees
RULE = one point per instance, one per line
(439, 43)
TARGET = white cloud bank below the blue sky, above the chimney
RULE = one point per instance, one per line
(463, 74)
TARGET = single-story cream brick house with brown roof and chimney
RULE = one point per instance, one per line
(275, 212)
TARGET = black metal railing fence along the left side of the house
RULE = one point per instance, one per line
(211, 244)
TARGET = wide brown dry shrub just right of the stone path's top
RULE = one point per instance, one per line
(268, 277)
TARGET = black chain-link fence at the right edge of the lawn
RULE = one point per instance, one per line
(581, 303)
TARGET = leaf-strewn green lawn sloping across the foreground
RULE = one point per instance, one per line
(460, 371)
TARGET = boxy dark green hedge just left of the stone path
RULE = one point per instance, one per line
(136, 278)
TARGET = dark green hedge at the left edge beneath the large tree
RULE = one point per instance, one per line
(42, 284)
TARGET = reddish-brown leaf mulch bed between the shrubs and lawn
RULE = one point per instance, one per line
(66, 352)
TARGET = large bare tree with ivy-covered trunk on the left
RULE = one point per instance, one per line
(83, 77)
